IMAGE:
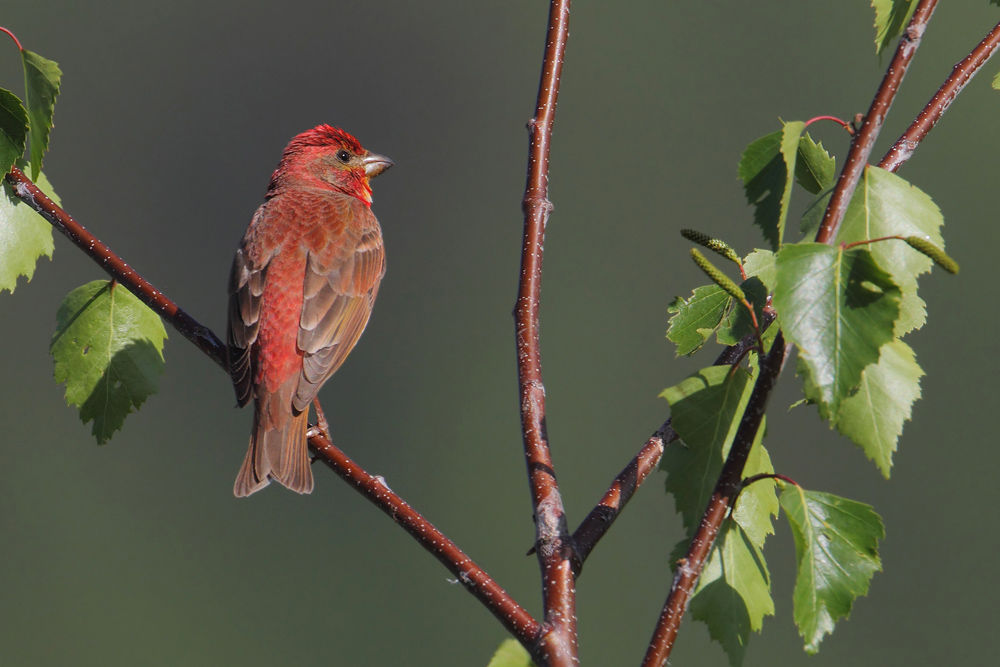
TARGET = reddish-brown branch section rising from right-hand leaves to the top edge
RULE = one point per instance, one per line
(864, 139)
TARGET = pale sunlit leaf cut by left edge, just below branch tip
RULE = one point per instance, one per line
(24, 235)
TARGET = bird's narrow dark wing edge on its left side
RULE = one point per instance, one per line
(246, 286)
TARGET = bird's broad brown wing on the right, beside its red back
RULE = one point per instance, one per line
(339, 293)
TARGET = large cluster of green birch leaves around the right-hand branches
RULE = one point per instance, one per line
(845, 307)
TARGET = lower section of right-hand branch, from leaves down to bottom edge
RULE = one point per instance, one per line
(690, 567)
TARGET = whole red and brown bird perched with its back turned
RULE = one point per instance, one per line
(302, 287)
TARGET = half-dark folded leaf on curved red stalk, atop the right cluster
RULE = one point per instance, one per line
(767, 168)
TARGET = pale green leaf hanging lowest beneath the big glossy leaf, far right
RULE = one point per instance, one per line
(873, 417)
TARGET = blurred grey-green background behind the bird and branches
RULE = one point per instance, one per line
(171, 119)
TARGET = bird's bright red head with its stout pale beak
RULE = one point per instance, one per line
(327, 157)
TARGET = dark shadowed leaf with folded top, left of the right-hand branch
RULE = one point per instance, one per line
(705, 410)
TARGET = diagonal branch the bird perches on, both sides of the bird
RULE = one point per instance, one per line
(513, 617)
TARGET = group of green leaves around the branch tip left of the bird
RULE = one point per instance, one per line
(108, 346)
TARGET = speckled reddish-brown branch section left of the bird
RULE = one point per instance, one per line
(115, 267)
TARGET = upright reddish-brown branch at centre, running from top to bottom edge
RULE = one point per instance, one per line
(558, 647)
